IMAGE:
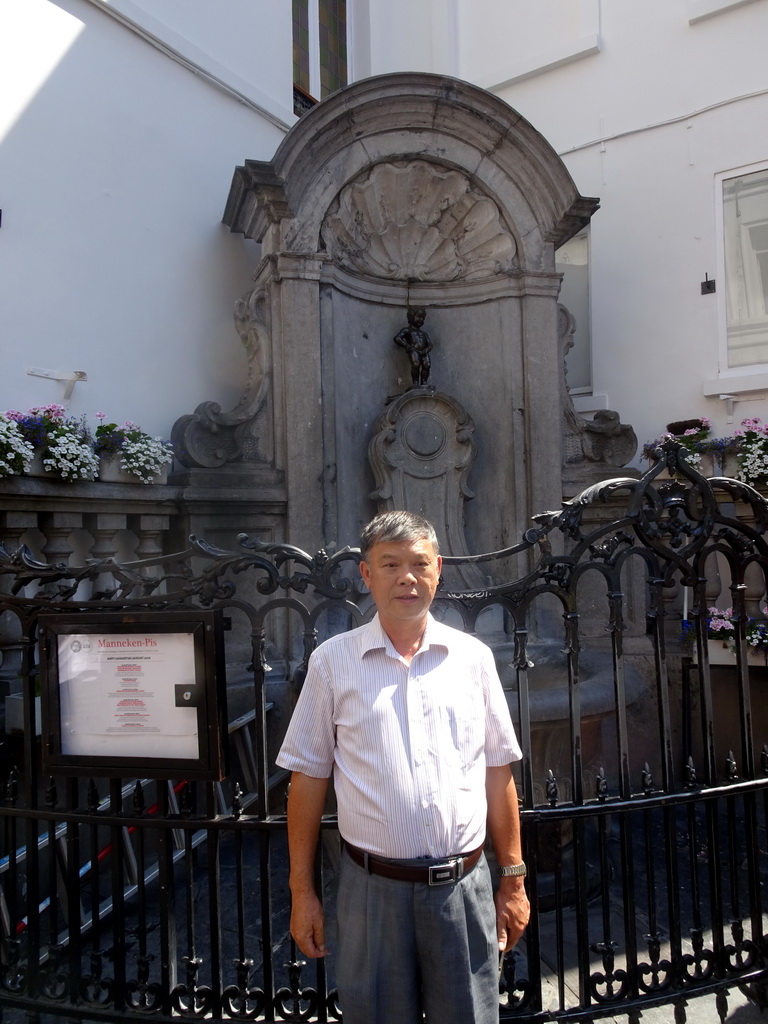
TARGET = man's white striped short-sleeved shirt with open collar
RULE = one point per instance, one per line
(408, 746)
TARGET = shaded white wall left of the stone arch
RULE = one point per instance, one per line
(116, 163)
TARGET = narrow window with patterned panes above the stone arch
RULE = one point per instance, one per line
(320, 51)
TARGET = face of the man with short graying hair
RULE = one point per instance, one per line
(403, 578)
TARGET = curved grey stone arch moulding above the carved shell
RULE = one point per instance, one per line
(402, 117)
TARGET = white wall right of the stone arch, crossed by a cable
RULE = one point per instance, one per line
(656, 337)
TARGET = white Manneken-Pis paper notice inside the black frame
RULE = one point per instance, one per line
(118, 697)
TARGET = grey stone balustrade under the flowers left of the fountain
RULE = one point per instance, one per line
(68, 523)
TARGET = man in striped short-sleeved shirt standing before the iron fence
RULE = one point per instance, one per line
(411, 718)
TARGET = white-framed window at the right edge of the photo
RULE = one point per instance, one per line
(746, 252)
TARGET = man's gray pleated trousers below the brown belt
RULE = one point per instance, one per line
(409, 951)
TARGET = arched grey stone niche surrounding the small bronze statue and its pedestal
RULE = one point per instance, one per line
(401, 191)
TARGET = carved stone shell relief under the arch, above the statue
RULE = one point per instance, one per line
(418, 222)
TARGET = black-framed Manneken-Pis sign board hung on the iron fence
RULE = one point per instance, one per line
(134, 695)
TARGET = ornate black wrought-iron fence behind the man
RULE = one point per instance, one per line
(644, 786)
